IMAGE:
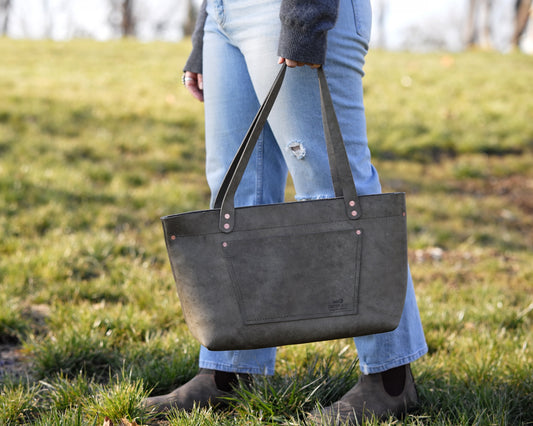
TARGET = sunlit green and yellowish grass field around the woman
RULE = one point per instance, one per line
(98, 140)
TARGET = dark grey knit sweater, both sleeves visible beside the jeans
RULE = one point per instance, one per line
(303, 37)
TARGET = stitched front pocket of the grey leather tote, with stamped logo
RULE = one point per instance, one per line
(295, 277)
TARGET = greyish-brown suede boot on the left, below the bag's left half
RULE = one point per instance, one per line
(207, 388)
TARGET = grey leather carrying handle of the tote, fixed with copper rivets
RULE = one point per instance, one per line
(343, 183)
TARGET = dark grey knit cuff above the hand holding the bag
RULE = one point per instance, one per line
(302, 47)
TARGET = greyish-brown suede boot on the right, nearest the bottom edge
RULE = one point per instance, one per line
(376, 396)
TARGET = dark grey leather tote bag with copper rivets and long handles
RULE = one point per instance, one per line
(288, 273)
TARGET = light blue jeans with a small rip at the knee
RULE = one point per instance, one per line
(240, 63)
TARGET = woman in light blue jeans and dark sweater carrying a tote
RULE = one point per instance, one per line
(237, 48)
